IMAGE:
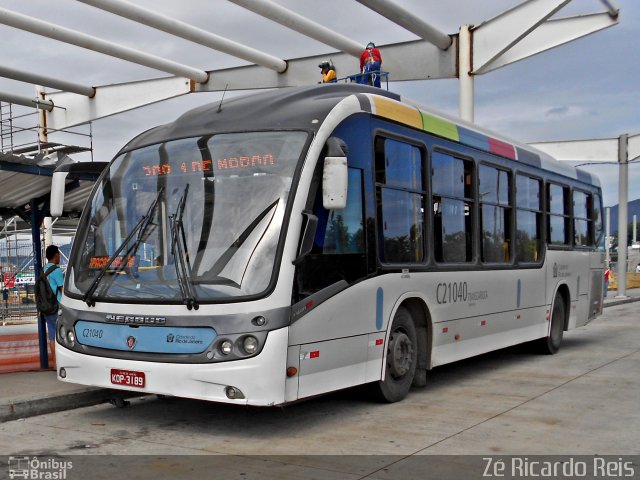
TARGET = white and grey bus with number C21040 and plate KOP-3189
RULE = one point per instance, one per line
(300, 241)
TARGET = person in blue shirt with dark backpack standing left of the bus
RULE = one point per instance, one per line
(48, 301)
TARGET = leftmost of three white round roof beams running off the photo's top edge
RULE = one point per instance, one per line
(188, 32)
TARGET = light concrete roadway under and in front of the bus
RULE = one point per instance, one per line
(584, 400)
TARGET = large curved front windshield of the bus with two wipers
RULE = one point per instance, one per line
(196, 218)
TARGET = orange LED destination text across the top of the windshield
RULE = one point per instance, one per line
(208, 166)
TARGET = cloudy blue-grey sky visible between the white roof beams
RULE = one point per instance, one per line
(586, 89)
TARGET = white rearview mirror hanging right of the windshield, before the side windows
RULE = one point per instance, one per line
(335, 175)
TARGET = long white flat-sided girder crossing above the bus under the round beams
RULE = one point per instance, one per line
(413, 60)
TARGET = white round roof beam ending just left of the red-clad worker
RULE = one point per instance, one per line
(300, 24)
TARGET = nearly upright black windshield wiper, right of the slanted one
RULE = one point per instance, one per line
(180, 252)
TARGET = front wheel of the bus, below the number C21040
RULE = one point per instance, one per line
(402, 358)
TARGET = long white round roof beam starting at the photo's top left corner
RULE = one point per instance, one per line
(56, 32)
